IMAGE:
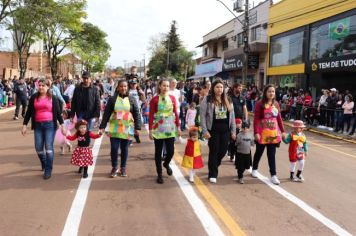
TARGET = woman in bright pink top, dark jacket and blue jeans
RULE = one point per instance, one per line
(44, 112)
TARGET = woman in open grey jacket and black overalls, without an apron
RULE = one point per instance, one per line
(218, 125)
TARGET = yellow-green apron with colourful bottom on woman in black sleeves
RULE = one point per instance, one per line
(121, 124)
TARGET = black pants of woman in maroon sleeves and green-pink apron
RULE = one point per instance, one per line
(169, 143)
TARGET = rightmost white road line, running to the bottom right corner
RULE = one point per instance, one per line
(338, 230)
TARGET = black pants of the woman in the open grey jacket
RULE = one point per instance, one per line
(218, 145)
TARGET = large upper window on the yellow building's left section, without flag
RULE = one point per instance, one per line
(287, 49)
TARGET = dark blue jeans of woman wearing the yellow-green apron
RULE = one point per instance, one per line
(123, 144)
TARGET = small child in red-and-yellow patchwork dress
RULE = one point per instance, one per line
(192, 156)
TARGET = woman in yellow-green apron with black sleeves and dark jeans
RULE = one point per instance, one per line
(123, 114)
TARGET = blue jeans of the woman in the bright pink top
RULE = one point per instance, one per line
(44, 138)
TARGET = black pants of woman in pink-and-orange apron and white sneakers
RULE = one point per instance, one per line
(271, 155)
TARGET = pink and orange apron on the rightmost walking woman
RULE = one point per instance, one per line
(268, 128)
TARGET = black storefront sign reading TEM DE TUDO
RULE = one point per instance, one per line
(344, 63)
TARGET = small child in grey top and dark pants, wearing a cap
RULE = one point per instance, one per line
(244, 142)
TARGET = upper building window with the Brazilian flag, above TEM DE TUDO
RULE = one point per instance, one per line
(336, 38)
